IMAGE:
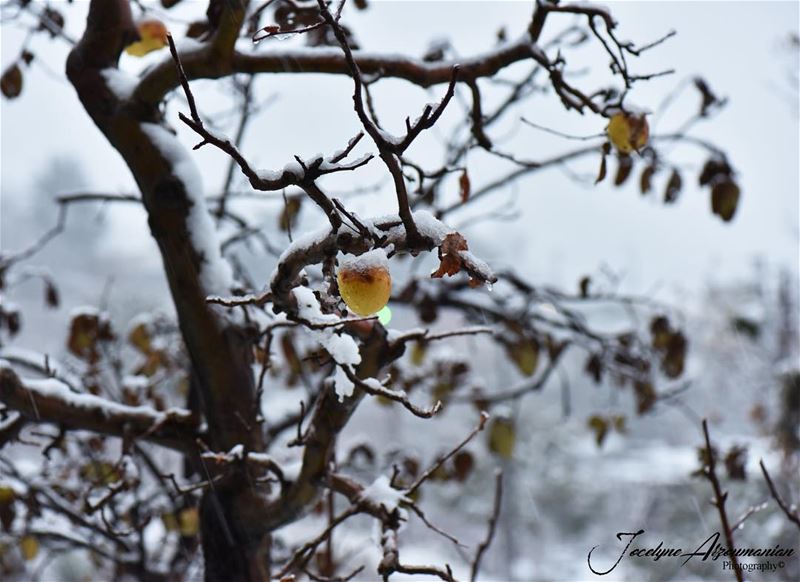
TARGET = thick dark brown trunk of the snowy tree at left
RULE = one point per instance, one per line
(235, 544)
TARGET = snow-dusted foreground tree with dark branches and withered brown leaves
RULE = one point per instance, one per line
(172, 421)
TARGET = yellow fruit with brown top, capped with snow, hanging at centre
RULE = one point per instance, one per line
(364, 282)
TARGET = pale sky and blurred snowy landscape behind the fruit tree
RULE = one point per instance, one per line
(564, 494)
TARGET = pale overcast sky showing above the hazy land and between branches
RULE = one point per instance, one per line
(565, 229)
